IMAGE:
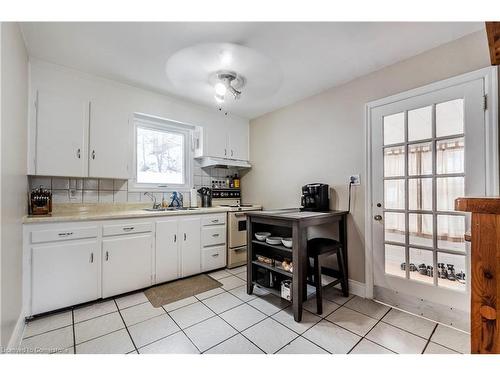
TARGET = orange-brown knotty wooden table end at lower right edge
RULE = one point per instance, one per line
(485, 272)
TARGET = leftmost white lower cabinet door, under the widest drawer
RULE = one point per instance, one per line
(64, 274)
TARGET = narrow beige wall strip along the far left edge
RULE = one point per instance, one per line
(13, 184)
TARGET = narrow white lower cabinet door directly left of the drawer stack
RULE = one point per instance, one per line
(189, 231)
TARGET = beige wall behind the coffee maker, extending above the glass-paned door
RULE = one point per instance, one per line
(321, 138)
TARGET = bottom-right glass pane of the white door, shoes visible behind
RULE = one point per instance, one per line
(451, 271)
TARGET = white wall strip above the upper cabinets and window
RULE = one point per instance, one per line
(47, 76)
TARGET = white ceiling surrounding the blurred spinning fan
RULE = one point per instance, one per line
(312, 57)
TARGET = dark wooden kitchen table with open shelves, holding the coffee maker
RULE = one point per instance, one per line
(290, 223)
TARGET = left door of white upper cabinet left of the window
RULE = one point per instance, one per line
(61, 135)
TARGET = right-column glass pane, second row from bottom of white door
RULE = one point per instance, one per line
(450, 232)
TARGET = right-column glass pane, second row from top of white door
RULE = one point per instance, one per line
(450, 156)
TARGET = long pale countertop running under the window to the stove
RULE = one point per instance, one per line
(79, 212)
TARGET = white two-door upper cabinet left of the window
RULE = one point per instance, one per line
(80, 137)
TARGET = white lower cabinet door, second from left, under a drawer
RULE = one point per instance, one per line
(127, 263)
